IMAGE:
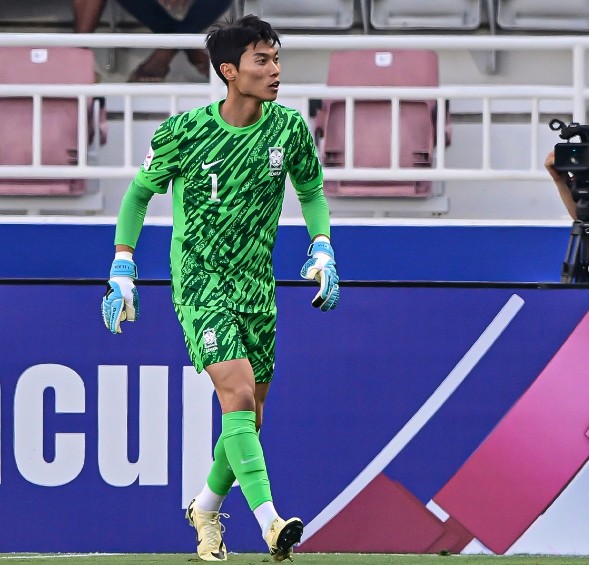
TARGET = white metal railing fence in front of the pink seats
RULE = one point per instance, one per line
(569, 98)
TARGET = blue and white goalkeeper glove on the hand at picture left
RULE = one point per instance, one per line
(121, 301)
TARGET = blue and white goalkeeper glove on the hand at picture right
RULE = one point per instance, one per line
(321, 267)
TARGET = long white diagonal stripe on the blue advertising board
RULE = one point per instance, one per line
(421, 417)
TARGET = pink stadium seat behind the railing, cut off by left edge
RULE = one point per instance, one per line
(59, 122)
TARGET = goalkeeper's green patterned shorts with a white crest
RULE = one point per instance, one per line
(214, 335)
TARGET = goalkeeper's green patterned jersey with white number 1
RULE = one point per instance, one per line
(228, 188)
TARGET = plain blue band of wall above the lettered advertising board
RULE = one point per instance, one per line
(451, 253)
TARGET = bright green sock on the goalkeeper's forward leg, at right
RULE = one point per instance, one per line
(245, 455)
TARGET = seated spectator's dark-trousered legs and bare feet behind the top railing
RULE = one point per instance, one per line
(160, 16)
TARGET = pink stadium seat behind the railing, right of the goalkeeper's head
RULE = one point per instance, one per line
(372, 118)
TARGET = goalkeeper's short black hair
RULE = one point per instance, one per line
(227, 41)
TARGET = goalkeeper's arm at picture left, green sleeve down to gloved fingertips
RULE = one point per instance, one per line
(121, 300)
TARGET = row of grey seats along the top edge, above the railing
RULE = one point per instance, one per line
(372, 15)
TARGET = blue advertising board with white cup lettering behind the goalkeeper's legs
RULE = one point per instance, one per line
(108, 437)
